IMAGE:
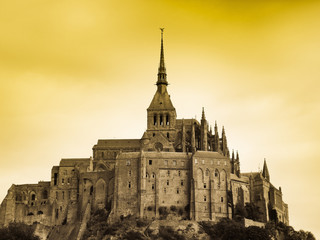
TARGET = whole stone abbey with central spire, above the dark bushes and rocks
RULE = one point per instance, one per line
(179, 165)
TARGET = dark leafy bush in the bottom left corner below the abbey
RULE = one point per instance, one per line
(18, 231)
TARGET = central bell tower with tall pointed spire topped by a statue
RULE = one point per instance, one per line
(161, 113)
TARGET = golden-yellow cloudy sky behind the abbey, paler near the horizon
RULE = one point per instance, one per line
(73, 72)
